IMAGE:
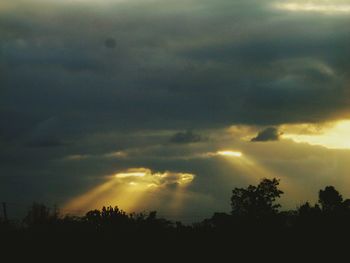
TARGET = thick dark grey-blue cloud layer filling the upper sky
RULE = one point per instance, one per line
(200, 64)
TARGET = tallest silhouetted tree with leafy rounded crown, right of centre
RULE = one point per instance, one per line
(256, 201)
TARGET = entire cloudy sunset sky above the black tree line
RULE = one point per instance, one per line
(168, 105)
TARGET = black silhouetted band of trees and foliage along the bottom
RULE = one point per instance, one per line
(255, 229)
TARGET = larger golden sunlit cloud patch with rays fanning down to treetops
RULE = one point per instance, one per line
(125, 189)
